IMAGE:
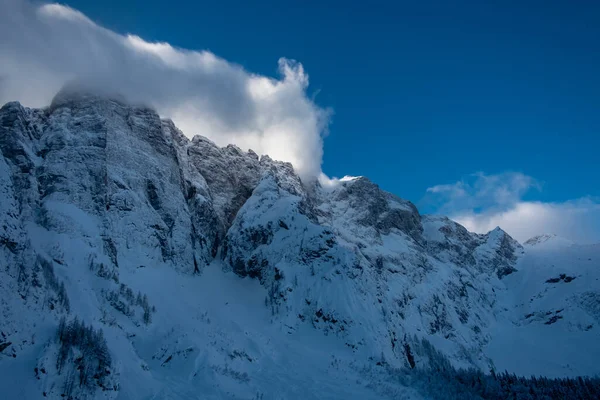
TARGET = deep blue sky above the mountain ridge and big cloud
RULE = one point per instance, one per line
(447, 105)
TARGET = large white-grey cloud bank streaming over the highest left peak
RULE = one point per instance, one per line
(44, 47)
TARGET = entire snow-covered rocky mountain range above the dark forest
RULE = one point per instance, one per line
(137, 263)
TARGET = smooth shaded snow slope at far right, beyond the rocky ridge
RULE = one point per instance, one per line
(552, 313)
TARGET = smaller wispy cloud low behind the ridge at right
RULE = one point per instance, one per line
(482, 202)
